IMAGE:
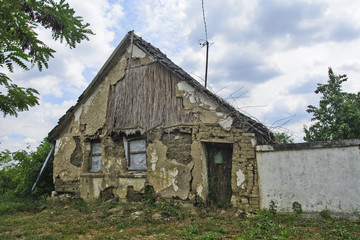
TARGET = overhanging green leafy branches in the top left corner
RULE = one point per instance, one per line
(19, 43)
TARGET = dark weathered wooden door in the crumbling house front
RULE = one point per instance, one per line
(219, 161)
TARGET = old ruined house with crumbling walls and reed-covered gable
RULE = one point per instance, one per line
(144, 122)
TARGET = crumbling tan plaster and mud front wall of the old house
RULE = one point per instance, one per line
(181, 176)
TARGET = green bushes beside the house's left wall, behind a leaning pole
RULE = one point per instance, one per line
(20, 170)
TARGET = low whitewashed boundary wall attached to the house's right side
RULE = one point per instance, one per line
(320, 175)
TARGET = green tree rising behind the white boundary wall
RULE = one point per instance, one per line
(338, 114)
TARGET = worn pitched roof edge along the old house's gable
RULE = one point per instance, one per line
(251, 124)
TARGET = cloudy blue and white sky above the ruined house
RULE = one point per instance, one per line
(266, 56)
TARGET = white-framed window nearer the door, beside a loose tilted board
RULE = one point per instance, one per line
(135, 151)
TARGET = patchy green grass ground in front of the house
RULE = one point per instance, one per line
(160, 220)
